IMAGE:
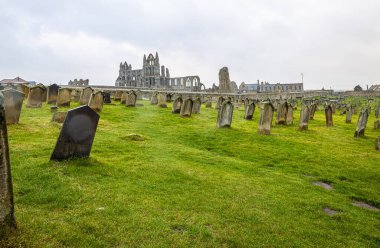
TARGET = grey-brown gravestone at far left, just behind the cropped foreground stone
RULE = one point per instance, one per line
(12, 104)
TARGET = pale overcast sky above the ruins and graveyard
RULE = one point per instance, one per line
(335, 43)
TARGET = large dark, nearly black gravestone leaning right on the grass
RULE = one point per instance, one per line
(77, 134)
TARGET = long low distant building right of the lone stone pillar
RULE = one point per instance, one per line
(267, 87)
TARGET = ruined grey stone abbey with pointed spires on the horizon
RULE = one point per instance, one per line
(154, 76)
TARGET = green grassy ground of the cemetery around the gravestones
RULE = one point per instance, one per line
(183, 182)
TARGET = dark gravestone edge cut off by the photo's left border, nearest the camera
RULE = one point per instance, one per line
(7, 219)
